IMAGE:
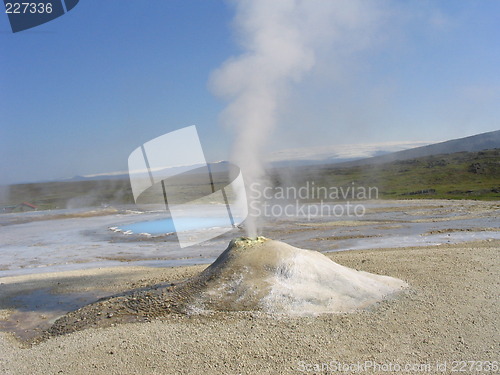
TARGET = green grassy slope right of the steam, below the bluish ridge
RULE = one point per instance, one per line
(461, 175)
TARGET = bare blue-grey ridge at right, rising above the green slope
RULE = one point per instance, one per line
(479, 142)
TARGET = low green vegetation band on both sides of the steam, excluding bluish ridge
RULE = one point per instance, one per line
(462, 175)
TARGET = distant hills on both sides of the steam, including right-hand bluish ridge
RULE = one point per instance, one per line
(457, 169)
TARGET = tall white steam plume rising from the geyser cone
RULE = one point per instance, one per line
(282, 41)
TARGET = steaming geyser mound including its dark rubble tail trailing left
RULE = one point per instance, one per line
(250, 275)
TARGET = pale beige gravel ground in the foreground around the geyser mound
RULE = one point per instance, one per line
(449, 314)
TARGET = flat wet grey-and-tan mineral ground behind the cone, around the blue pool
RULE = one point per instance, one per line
(49, 241)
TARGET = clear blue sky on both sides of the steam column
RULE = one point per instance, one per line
(80, 93)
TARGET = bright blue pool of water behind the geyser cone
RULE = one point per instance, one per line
(165, 226)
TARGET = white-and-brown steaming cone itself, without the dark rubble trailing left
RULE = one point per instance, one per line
(271, 276)
